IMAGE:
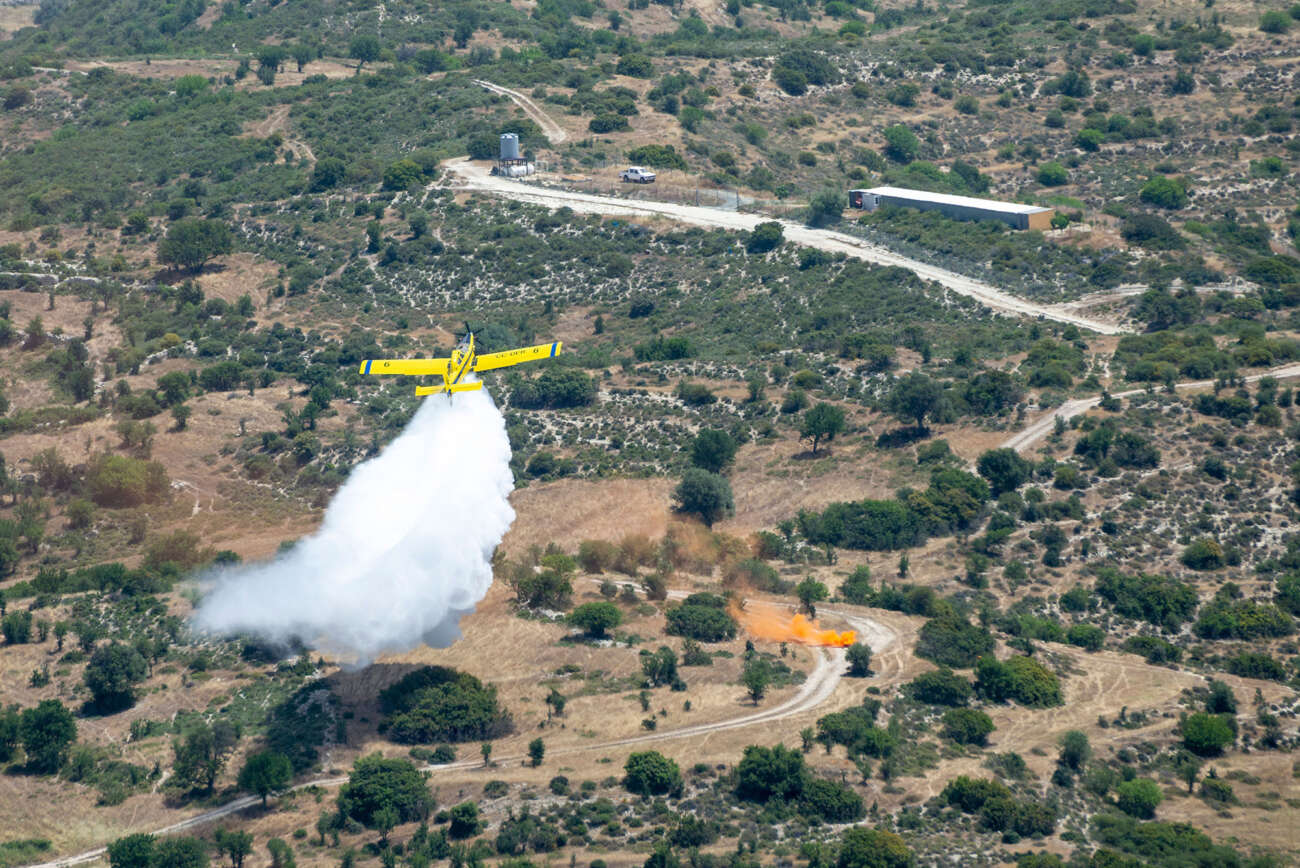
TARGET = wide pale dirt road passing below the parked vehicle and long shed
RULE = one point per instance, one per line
(474, 177)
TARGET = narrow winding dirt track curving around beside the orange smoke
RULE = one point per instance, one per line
(817, 688)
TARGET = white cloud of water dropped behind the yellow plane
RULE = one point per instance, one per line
(405, 549)
